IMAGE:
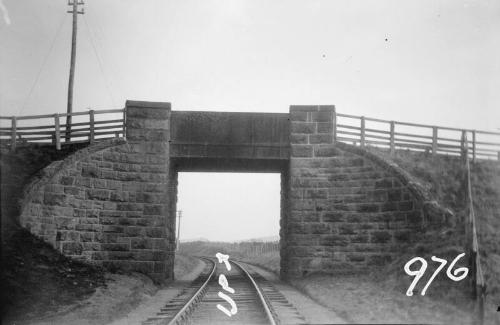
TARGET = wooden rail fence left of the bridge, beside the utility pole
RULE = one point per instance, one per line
(90, 126)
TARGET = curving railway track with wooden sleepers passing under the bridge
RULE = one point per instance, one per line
(257, 301)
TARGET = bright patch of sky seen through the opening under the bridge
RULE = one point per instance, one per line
(229, 206)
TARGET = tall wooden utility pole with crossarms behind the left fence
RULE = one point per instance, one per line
(74, 10)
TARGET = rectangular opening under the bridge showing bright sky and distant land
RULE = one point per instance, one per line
(236, 213)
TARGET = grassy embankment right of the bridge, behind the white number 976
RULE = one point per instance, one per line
(380, 296)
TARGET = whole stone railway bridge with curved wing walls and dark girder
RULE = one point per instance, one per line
(113, 203)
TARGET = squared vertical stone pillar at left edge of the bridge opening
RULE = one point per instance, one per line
(152, 237)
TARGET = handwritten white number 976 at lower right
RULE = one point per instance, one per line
(456, 276)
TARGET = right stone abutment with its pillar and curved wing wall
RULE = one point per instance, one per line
(346, 212)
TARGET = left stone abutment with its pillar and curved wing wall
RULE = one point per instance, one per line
(108, 204)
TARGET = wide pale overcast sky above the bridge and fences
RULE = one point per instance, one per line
(432, 62)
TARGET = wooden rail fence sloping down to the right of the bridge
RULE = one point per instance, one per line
(393, 135)
